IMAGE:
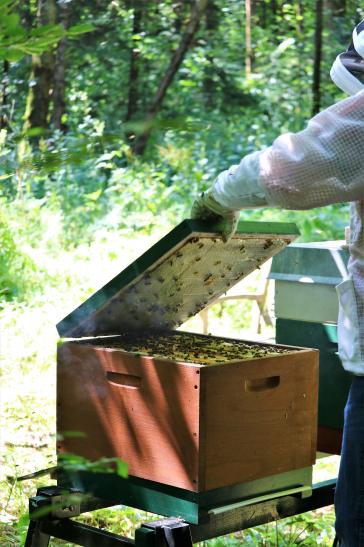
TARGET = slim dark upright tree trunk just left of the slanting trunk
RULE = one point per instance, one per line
(133, 95)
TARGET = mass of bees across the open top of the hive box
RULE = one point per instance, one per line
(189, 348)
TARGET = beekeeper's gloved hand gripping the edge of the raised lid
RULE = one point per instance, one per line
(207, 208)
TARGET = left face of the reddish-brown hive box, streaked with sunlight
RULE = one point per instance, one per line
(143, 410)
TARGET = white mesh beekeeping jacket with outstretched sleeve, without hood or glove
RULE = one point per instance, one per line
(321, 165)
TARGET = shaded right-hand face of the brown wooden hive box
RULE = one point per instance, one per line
(272, 428)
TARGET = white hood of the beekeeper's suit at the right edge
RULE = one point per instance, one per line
(347, 72)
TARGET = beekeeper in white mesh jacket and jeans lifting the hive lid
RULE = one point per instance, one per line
(321, 165)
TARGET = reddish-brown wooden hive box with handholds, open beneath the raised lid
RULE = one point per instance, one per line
(192, 426)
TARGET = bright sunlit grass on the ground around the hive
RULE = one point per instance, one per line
(27, 396)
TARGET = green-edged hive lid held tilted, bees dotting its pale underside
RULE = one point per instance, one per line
(176, 278)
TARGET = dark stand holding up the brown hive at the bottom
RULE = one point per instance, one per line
(51, 512)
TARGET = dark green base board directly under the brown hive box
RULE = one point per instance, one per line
(166, 500)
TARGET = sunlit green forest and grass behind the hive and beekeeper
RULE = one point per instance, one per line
(114, 115)
